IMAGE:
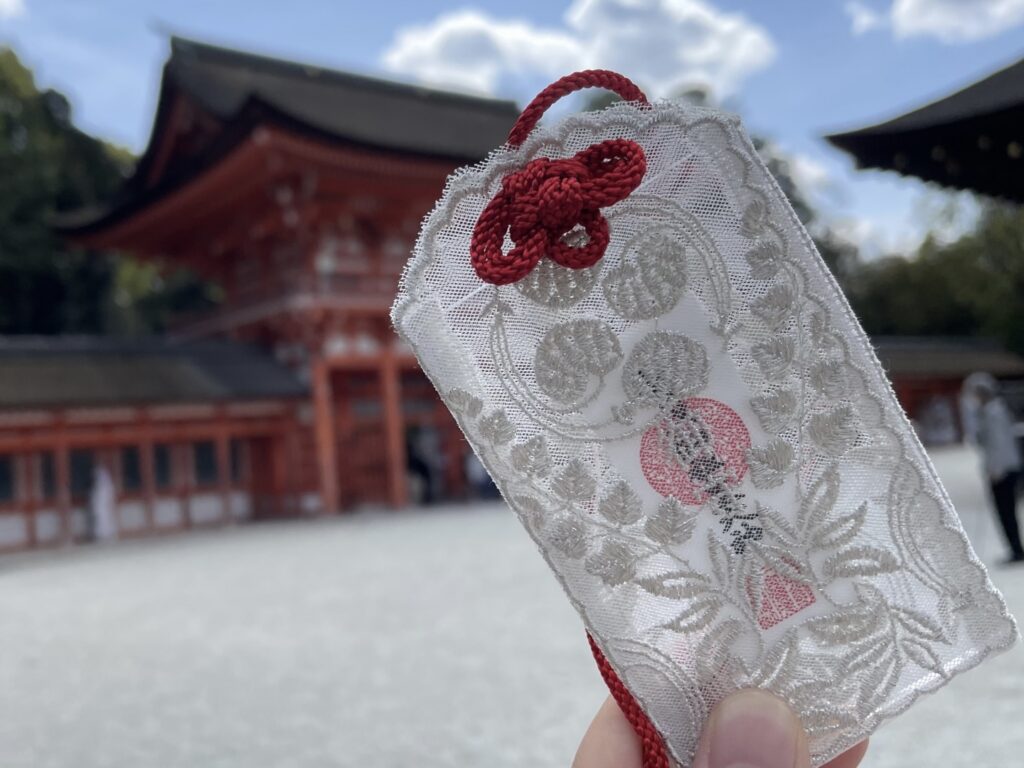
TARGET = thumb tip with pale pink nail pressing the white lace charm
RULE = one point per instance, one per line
(751, 730)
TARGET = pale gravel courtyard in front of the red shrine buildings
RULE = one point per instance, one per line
(431, 638)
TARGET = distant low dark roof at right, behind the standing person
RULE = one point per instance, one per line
(942, 358)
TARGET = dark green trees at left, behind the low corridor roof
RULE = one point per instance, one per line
(50, 167)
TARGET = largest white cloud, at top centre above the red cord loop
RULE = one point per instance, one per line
(666, 46)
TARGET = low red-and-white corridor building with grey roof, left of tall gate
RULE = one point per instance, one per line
(191, 435)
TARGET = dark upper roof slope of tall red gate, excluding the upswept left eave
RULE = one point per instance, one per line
(369, 111)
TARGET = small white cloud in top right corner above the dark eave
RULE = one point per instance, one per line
(956, 21)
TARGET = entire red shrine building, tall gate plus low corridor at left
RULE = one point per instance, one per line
(300, 192)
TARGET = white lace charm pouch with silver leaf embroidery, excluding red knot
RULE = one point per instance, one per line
(701, 441)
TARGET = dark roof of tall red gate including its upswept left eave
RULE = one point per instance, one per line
(245, 91)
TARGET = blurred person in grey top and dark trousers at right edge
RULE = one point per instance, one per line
(994, 432)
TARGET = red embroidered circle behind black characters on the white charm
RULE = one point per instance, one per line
(731, 442)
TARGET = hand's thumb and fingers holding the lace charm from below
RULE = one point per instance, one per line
(749, 730)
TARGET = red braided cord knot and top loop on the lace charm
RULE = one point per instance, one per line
(551, 208)
